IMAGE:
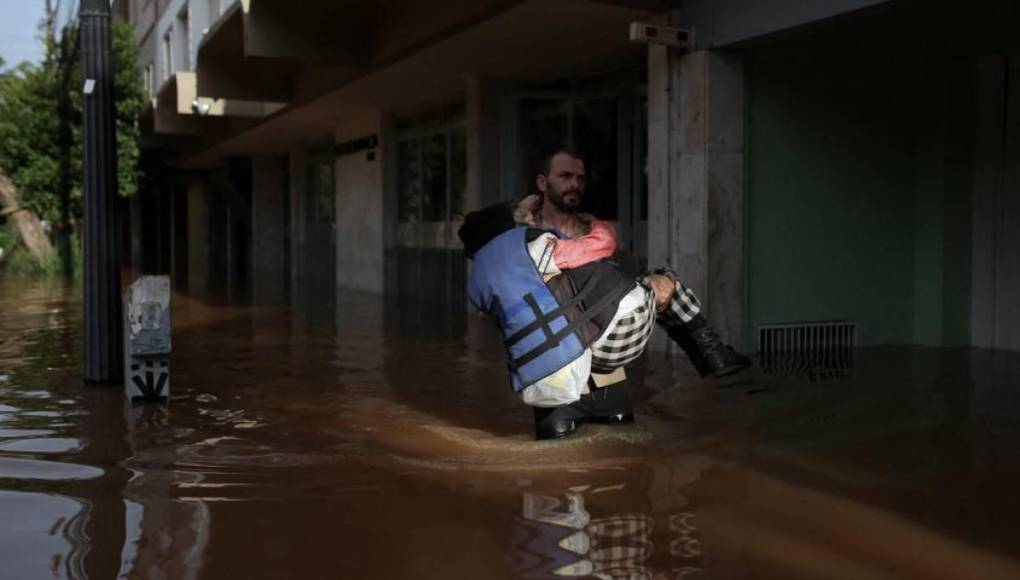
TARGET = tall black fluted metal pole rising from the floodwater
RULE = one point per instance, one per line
(104, 336)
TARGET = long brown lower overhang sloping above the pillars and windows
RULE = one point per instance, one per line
(524, 41)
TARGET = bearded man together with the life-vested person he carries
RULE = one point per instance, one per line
(540, 272)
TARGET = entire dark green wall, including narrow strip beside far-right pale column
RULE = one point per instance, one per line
(859, 188)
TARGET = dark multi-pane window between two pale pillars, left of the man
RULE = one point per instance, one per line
(433, 175)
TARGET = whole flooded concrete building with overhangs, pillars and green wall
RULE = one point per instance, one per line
(801, 164)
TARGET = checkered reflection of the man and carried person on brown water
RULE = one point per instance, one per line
(631, 522)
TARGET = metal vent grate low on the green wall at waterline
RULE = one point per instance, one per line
(820, 350)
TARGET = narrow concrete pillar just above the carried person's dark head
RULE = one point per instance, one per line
(483, 96)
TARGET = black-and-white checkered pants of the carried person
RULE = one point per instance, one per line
(629, 337)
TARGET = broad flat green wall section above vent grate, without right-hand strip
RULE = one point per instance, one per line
(831, 191)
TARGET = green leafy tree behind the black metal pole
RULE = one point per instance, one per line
(41, 125)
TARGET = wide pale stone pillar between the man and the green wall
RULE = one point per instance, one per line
(696, 178)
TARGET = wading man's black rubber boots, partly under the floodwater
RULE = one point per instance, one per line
(608, 405)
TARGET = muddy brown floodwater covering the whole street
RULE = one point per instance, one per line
(380, 442)
